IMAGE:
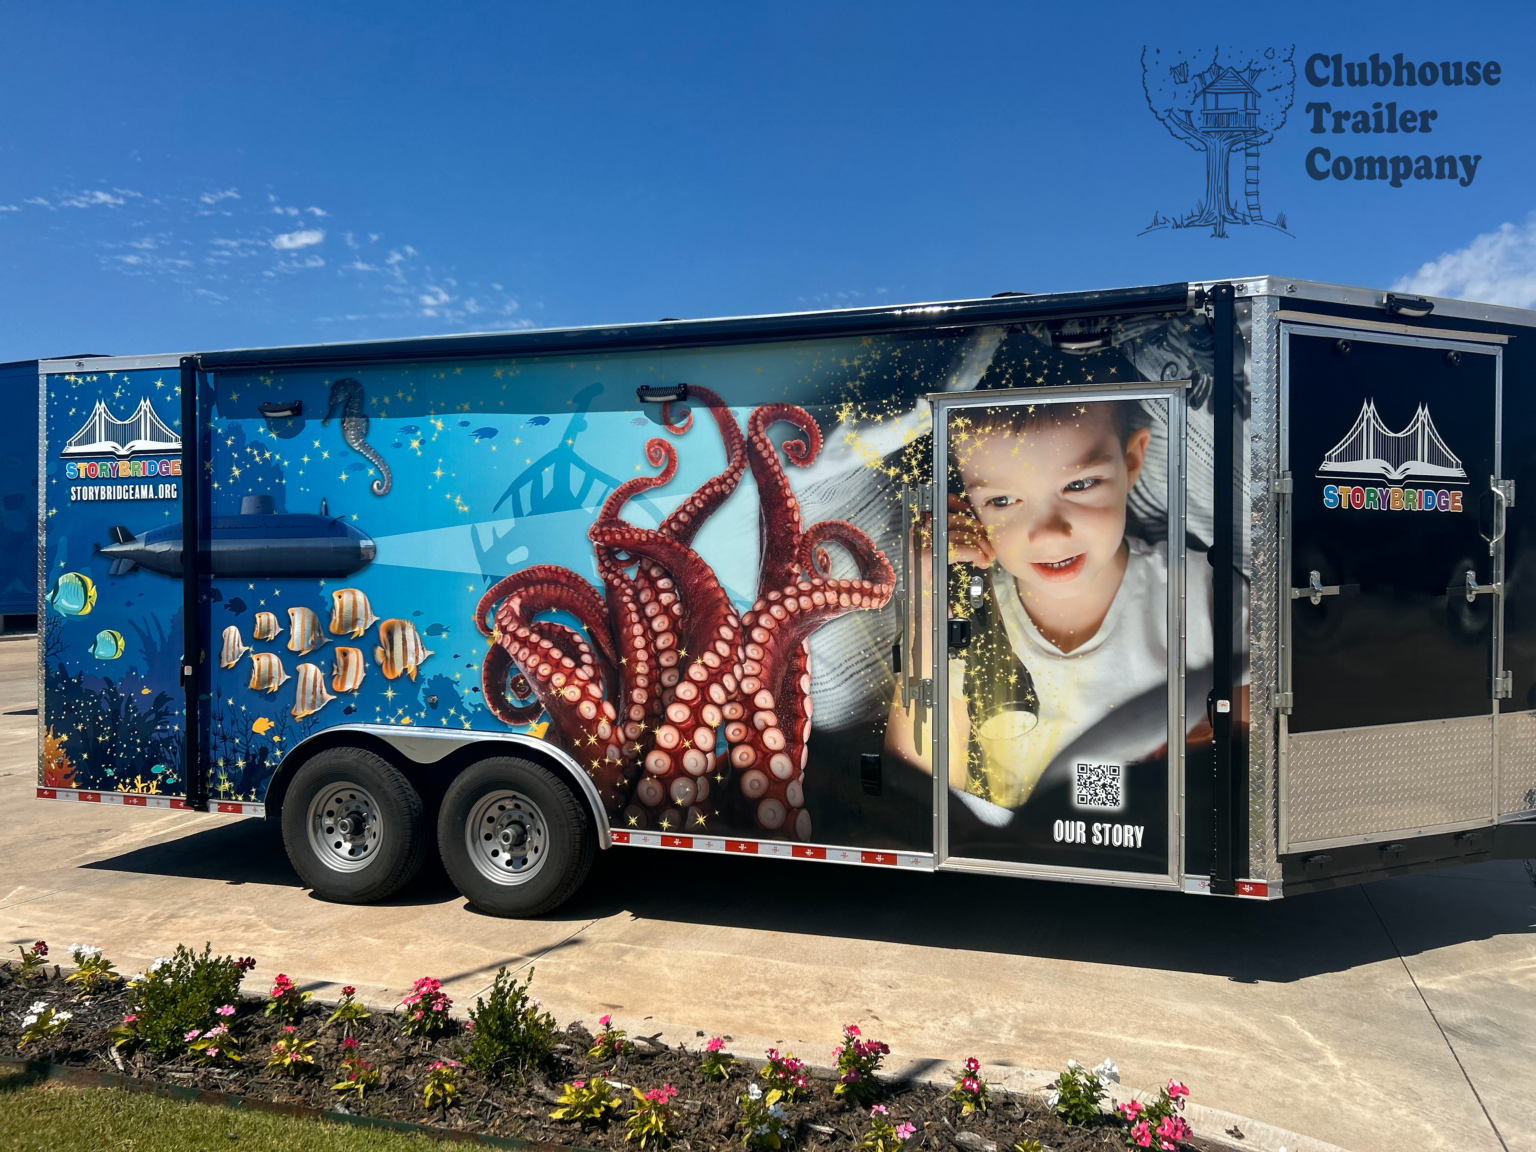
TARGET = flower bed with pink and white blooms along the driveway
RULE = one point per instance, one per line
(512, 1073)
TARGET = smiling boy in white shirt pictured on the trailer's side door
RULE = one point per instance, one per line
(1076, 598)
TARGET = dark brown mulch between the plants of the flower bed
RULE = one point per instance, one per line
(706, 1113)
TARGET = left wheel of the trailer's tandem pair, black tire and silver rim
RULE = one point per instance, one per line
(362, 864)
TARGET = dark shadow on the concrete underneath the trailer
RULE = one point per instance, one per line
(1242, 941)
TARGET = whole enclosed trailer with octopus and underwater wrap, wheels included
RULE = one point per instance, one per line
(1211, 588)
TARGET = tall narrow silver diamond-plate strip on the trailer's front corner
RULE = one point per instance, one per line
(1262, 460)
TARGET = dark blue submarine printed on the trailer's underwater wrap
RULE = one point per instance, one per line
(260, 541)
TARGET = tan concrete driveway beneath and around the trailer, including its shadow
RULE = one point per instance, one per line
(1394, 1016)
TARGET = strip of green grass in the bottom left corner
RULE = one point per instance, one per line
(42, 1117)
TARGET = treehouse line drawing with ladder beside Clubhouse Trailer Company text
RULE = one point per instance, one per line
(1223, 104)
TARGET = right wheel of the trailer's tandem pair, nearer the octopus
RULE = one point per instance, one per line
(534, 846)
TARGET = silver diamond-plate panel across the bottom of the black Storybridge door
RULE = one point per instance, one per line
(1360, 783)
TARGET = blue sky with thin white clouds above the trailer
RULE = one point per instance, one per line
(185, 177)
